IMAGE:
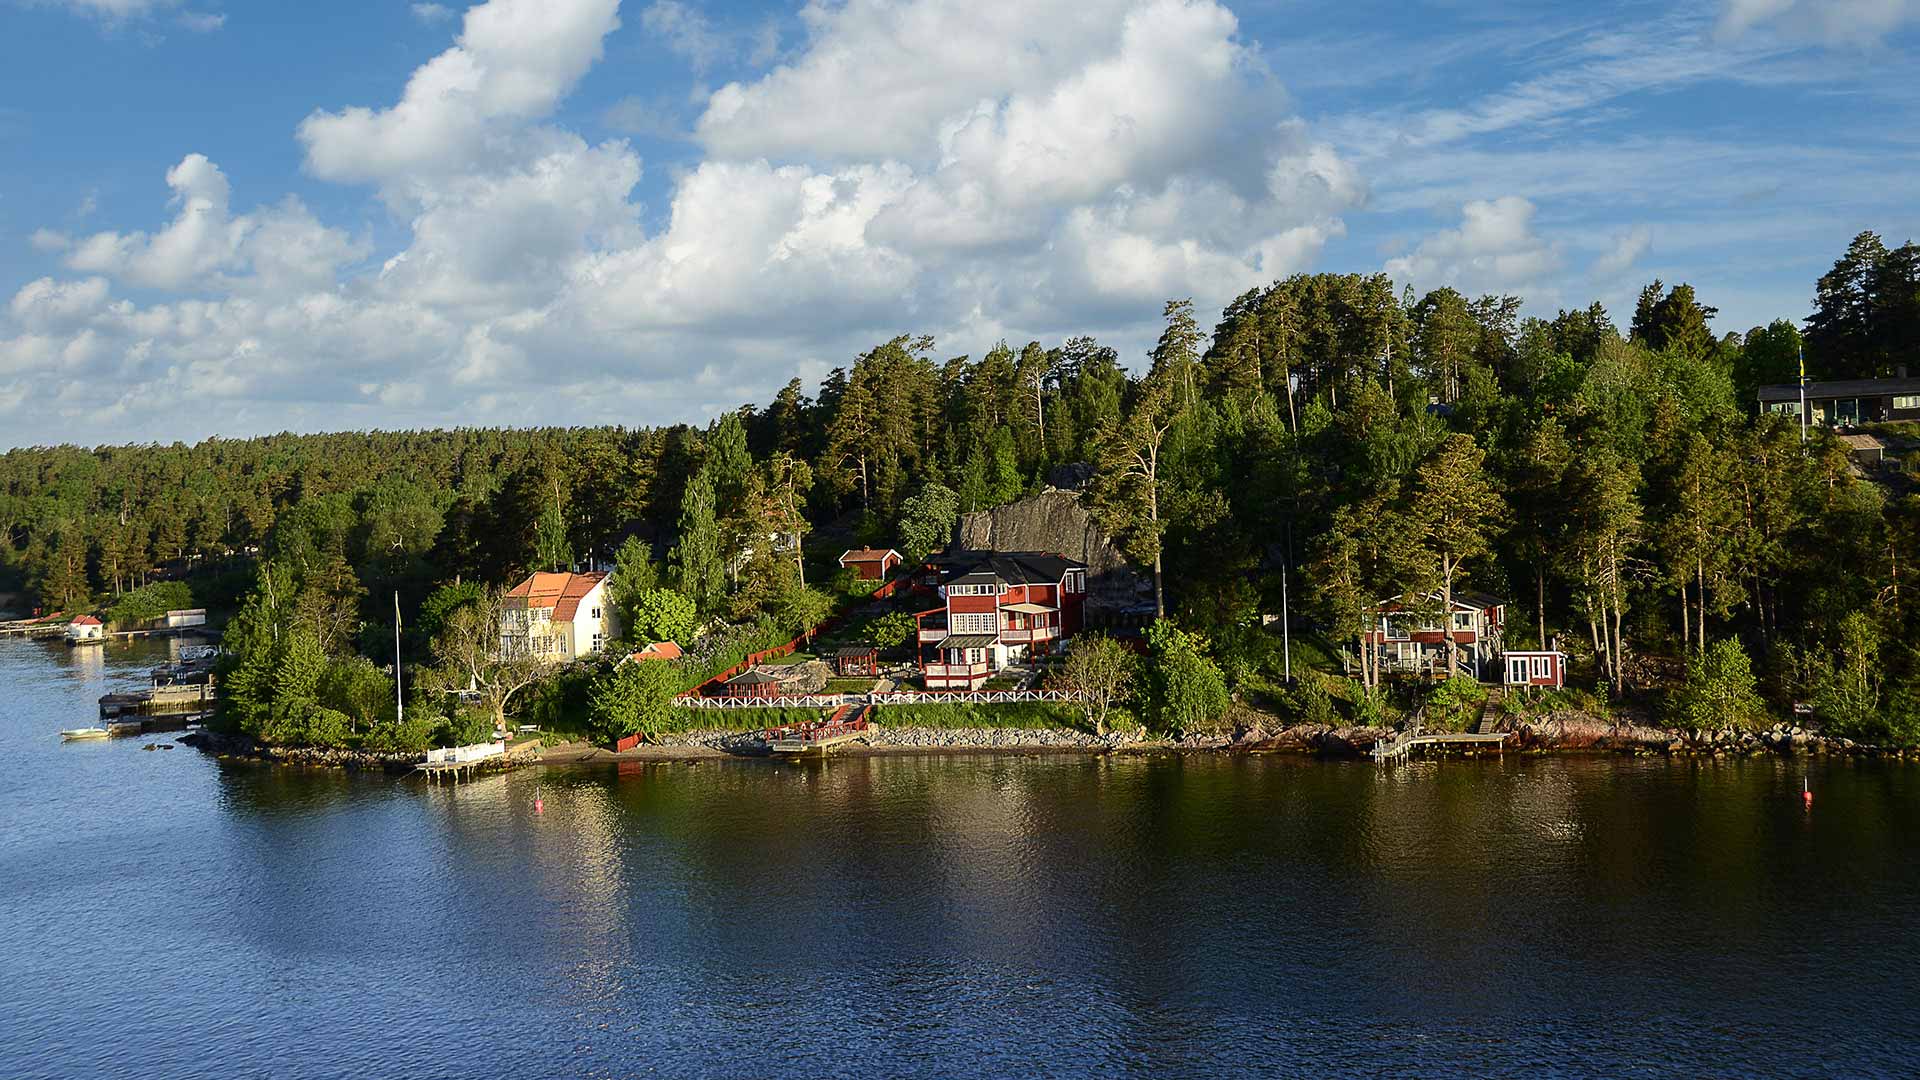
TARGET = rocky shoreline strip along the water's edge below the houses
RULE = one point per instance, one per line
(1575, 733)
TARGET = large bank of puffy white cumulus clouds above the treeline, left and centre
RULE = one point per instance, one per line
(1011, 170)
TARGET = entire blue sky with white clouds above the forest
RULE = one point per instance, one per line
(239, 218)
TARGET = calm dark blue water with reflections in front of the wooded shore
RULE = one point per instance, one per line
(168, 916)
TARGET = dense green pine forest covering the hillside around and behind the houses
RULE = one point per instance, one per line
(1610, 478)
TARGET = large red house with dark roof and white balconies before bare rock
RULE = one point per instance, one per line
(997, 608)
